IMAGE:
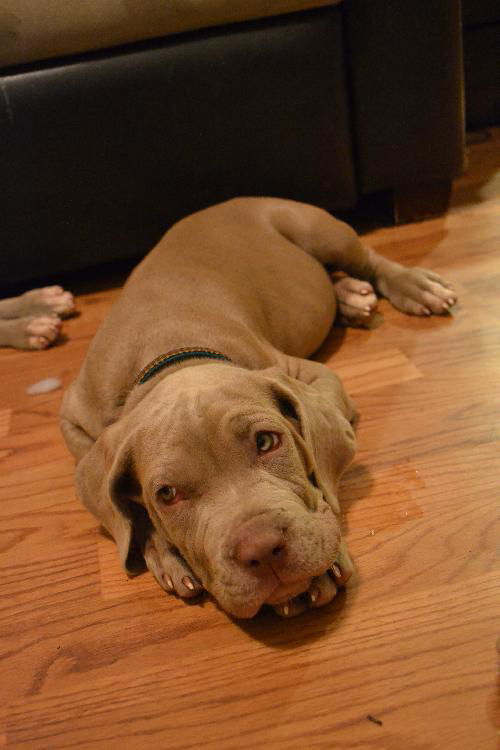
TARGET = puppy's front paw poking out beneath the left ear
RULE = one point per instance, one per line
(169, 568)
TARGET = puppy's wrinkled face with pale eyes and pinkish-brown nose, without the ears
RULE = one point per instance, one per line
(226, 476)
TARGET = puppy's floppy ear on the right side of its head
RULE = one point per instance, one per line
(324, 415)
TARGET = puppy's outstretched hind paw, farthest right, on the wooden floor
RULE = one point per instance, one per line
(417, 291)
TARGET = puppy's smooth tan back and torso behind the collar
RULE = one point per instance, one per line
(223, 278)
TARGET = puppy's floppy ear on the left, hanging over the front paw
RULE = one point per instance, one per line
(108, 487)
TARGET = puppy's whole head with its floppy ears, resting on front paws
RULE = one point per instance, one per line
(239, 471)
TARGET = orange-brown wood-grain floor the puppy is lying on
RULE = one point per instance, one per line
(404, 660)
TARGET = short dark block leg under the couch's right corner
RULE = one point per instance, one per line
(417, 202)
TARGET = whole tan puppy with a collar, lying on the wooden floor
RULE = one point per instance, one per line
(207, 444)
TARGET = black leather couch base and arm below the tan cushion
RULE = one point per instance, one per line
(103, 151)
